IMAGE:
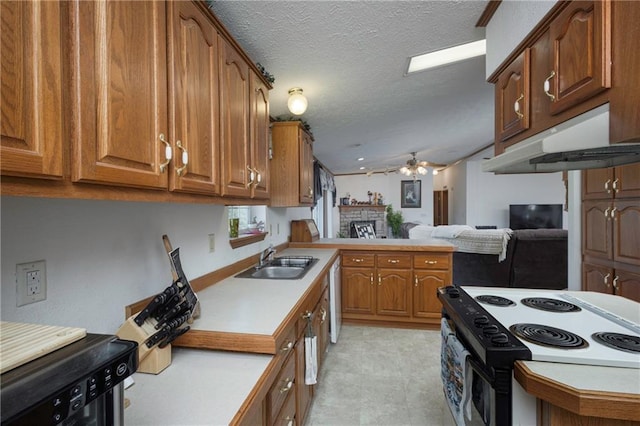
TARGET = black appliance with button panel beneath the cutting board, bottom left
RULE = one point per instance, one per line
(78, 384)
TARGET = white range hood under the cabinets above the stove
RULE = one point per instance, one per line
(579, 143)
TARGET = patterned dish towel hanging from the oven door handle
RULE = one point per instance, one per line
(456, 375)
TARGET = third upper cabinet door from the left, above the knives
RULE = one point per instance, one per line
(193, 53)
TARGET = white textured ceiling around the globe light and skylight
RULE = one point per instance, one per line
(350, 57)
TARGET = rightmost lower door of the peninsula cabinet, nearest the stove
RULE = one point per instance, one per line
(425, 285)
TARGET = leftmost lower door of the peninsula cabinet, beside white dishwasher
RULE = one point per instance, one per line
(358, 293)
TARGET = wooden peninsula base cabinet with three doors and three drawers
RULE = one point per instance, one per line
(393, 287)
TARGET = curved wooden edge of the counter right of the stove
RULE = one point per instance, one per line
(621, 406)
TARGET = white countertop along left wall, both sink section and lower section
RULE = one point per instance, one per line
(208, 386)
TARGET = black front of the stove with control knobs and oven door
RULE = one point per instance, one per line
(492, 353)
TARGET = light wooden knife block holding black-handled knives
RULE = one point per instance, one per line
(150, 360)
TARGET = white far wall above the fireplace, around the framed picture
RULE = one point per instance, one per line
(389, 186)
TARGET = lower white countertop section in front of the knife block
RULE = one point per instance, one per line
(199, 387)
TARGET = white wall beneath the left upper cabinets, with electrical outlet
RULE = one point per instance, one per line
(103, 255)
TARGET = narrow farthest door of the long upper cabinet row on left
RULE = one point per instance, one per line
(260, 137)
